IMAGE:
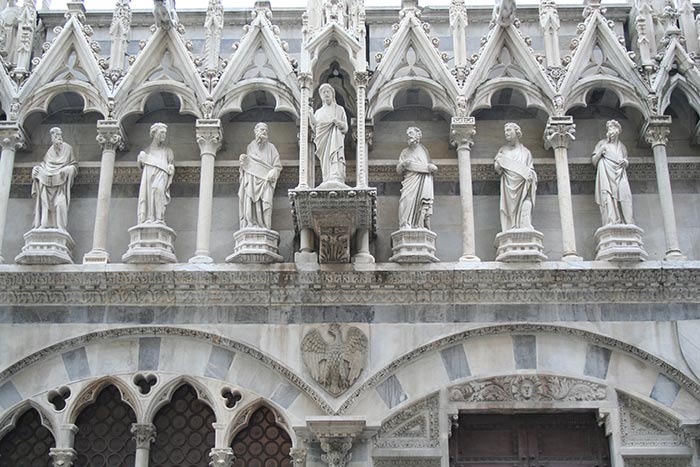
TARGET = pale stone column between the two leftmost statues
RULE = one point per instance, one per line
(109, 136)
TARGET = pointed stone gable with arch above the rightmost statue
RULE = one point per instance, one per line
(629, 85)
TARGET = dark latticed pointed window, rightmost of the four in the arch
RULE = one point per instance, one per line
(262, 443)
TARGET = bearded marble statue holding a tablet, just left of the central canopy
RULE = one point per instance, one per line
(260, 169)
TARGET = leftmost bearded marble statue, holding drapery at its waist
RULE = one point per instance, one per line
(51, 183)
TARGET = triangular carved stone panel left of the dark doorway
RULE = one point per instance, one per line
(415, 427)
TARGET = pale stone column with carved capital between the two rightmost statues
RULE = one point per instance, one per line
(558, 134)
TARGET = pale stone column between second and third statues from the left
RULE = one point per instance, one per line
(209, 140)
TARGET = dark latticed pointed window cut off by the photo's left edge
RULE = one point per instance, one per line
(28, 444)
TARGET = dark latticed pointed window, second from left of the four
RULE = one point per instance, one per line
(104, 432)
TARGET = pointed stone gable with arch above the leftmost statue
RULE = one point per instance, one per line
(42, 85)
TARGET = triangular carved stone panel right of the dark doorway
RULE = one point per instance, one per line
(643, 425)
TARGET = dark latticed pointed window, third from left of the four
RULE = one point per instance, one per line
(184, 431)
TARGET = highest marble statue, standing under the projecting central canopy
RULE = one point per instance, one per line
(330, 125)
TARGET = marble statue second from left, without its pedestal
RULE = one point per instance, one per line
(156, 162)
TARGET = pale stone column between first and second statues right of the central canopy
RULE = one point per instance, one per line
(462, 131)
